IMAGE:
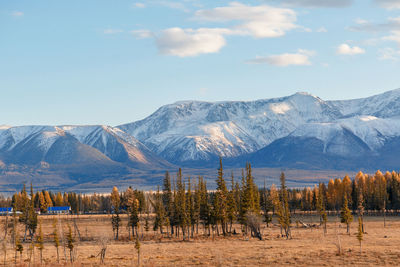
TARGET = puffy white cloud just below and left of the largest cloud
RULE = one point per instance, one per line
(188, 42)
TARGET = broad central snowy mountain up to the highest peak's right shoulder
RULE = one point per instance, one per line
(190, 131)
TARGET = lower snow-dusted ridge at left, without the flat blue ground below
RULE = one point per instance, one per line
(74, 145)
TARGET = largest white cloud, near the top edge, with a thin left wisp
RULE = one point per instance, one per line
(258, 21)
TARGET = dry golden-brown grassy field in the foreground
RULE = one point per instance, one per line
(308, 247)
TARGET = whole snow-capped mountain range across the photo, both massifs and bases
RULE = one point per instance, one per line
(298, 131)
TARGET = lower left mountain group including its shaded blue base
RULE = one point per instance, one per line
(80, 153)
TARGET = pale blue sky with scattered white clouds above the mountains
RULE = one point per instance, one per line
(114, 62)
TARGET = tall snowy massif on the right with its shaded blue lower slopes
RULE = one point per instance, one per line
(194, 133)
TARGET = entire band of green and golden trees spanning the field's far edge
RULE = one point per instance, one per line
(182, 205)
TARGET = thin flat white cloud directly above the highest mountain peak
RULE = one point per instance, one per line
(301, 58)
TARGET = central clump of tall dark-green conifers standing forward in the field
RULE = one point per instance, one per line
(184, 206)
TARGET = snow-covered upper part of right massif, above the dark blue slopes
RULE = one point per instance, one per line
(187, 131)
